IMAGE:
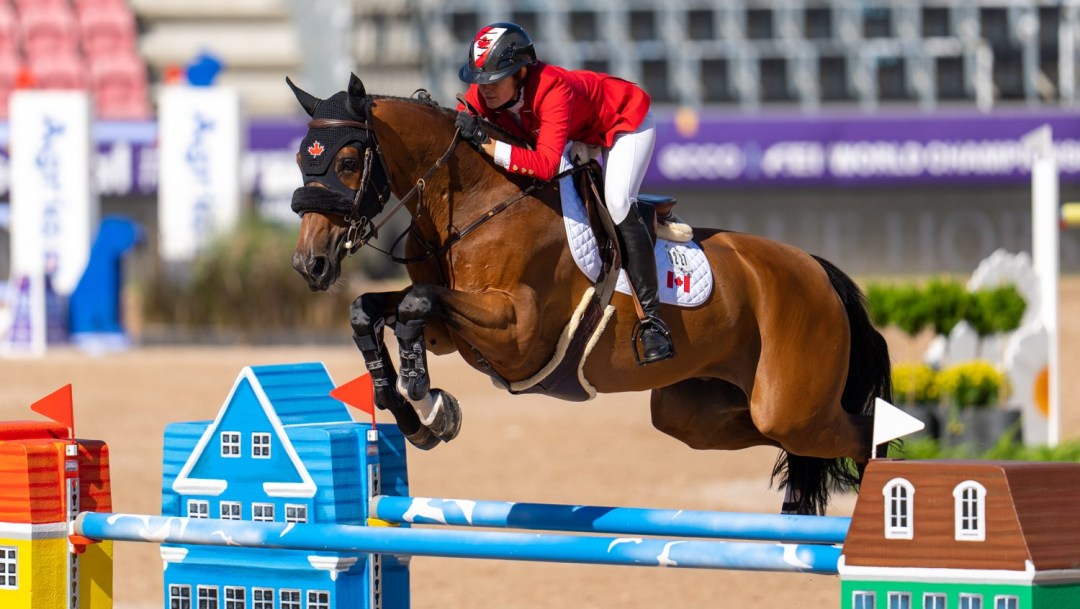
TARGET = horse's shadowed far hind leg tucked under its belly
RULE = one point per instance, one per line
(707, 414)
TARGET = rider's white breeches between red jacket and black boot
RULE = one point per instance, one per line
(625, 166)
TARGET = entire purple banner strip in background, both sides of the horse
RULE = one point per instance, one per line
(693, 151)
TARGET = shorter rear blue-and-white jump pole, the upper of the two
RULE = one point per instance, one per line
(619, 521)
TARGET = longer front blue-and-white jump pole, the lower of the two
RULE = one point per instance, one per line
(699, 554)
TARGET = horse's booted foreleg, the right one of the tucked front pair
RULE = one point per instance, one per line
(437, 410)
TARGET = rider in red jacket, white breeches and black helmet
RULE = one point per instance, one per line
(548, 107)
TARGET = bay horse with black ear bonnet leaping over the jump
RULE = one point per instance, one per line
(782, 354)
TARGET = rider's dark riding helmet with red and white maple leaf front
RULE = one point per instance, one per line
(498, 51)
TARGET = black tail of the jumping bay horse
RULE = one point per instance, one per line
(812, 480)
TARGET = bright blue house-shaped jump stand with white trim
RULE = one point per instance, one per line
(281, 450)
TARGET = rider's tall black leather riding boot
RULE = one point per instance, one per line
(642, 267)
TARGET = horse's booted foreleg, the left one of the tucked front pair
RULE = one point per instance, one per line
(368, 317)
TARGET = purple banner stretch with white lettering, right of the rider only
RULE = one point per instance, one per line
(805, 150)
